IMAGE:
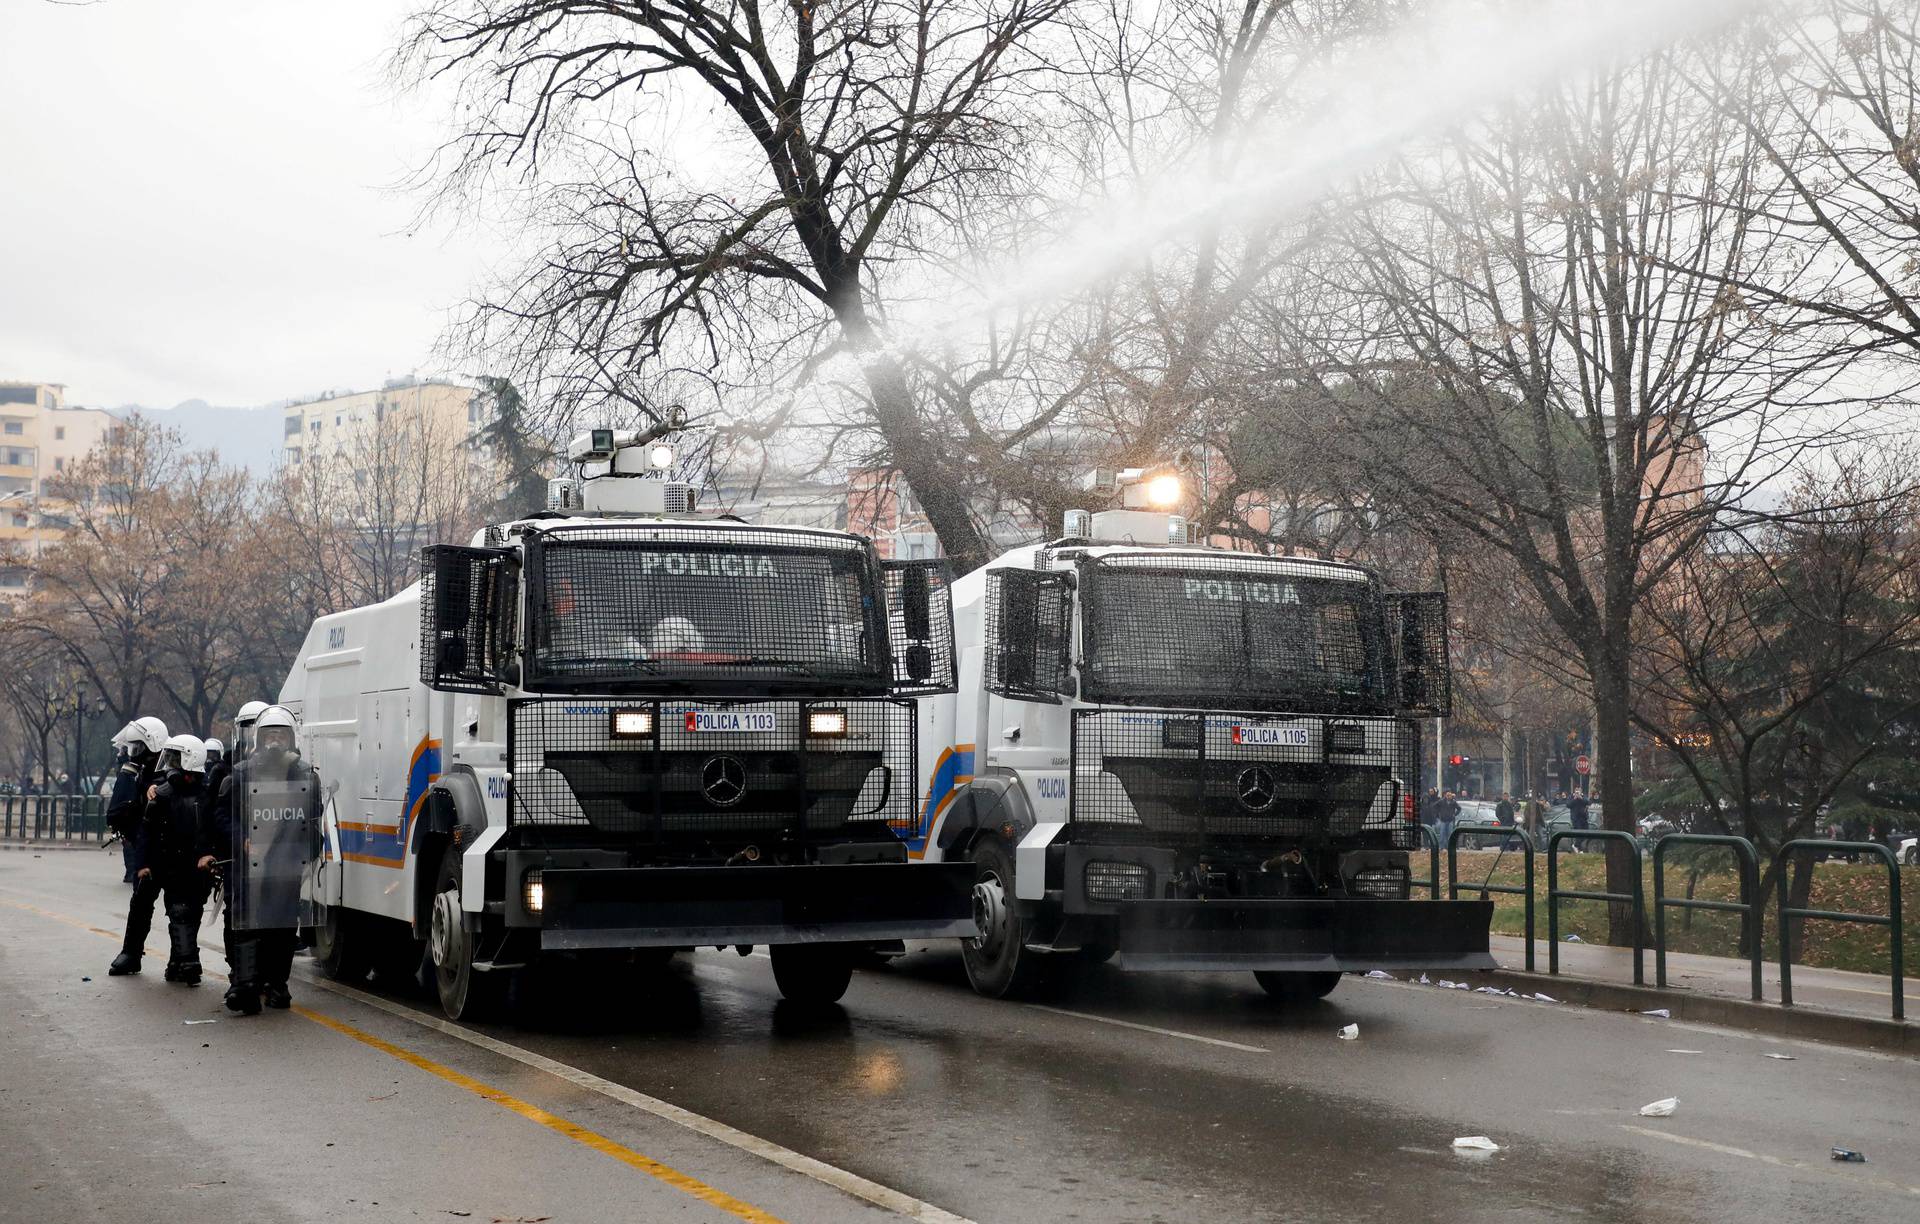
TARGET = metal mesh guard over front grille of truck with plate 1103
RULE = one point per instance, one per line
(715, 768)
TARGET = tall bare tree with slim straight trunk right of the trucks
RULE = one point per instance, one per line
(1541, 358)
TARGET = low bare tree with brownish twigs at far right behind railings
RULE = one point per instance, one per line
(1783, 657)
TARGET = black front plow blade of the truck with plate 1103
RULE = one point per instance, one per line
(759, 905)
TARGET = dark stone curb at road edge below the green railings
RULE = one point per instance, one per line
(1773, 1020)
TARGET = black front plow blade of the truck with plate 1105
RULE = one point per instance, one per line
(1305, 935)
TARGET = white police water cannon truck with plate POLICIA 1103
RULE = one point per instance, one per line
(623, 728)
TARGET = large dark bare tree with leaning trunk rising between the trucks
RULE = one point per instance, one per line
(848, 137)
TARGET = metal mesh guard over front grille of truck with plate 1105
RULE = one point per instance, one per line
(1170, 776)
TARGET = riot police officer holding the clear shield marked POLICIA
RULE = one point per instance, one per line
(266, 860)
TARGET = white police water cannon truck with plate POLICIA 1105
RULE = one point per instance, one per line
(1180, 757)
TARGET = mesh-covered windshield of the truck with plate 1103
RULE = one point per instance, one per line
(711, 609)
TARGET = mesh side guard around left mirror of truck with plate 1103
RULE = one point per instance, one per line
(469, 601)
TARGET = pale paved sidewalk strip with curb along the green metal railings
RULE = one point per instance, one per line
(1829, 1004)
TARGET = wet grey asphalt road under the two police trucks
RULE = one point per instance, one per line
(1118, 1098)
